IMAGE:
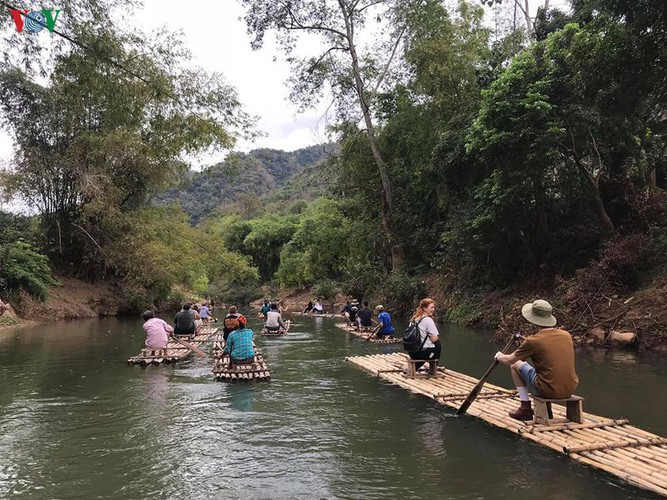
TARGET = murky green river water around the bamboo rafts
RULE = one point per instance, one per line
(77, 422)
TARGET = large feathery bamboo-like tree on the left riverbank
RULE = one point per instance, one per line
(106, 133)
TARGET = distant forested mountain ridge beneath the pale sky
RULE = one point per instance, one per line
(259, 172)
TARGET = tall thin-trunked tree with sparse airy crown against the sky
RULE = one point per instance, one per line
(352, 74)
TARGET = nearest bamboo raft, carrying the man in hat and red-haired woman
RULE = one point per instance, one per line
(614, 446)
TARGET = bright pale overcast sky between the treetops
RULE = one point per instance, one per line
(217, 37)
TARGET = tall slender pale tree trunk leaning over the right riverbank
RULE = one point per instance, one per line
(387, 202)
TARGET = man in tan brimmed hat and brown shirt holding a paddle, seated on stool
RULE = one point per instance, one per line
(552, 352)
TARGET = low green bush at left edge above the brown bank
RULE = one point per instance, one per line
(23, 269)
